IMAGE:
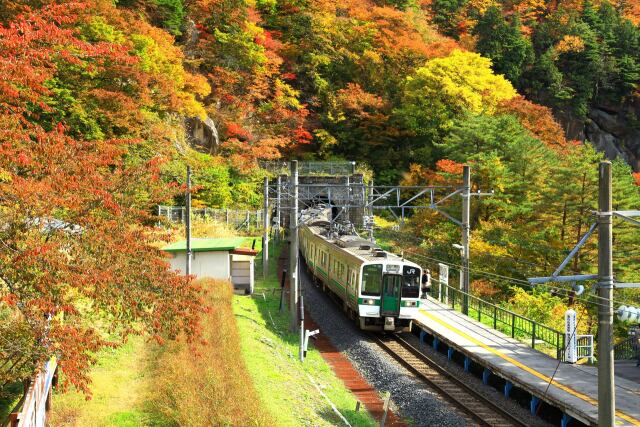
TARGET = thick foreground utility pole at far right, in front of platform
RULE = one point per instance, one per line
(606, 389)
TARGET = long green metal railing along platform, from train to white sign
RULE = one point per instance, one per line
(545, 338)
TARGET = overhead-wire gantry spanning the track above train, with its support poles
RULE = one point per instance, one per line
(288, 194)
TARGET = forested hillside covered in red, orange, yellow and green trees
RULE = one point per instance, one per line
(104, 102)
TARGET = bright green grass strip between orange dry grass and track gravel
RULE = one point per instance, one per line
(271, 356)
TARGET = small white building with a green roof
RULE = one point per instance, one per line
(218, 258)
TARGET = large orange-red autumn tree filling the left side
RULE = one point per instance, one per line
(76, 188)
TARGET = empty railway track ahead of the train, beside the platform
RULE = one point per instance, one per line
(466, 398)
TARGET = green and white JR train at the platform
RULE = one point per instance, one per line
(379, 289)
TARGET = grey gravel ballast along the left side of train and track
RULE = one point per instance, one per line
(410, 397)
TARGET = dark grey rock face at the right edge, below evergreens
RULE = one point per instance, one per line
(612, 130)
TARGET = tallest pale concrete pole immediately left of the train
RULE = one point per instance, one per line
(293, 246)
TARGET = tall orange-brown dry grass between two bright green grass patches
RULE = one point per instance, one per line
(203, 385)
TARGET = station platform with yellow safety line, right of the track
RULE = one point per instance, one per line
(571, 388)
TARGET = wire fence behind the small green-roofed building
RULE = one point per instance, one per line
(241, 219)
